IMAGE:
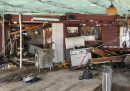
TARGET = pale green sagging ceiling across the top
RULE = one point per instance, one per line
(63, 6)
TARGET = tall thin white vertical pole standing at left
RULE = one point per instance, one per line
(20, 24)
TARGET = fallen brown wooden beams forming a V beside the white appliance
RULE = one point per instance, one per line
(106, 56)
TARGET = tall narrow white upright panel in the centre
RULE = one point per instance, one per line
(57, 39)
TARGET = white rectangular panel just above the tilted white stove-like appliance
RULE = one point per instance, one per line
(73, 42)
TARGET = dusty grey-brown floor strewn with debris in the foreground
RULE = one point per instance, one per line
(63, 80)
